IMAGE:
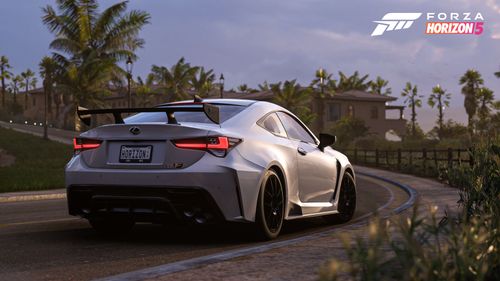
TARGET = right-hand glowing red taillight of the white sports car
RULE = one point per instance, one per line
(217, 145)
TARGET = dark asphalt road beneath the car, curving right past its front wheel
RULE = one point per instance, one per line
(39, 241)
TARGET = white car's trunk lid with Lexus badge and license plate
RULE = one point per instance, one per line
(144, 146)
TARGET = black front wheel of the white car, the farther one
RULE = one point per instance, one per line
(347, 201)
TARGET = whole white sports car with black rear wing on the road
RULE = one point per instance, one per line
(205, 161)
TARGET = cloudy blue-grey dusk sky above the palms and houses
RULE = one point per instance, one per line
(257, 40)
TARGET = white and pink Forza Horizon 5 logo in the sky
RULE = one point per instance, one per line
(437, 23)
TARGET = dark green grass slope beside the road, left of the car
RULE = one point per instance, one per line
(39, 163)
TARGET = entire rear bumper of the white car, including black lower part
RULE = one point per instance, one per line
(232, 185)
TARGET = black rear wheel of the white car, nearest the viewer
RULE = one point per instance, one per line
(270, 207)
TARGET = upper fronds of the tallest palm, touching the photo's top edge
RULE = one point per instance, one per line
(81, 29)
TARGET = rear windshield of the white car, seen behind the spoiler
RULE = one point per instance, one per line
(226, 111)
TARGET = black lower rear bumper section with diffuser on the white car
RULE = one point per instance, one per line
(146, 204)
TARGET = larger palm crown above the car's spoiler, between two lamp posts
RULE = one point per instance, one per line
(176, 81)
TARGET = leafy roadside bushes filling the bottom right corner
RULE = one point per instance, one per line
(424, 246)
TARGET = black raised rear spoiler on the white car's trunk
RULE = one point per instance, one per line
(210, 110)
